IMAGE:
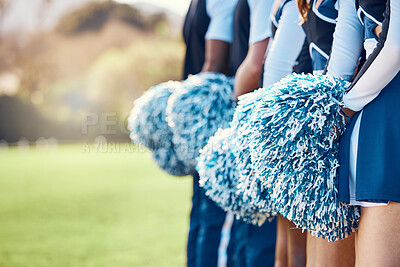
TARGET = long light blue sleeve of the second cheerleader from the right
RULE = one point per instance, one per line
(347, 42)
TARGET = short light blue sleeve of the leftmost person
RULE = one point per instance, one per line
(221, 19)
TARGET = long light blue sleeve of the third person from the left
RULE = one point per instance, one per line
(286, 46)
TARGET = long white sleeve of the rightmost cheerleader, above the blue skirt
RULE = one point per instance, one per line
(382, 70)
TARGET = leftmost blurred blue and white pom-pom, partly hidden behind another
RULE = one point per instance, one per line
(148, 126)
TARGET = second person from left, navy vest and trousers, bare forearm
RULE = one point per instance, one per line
(254, 245)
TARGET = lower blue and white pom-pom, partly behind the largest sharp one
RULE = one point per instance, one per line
(218, 167)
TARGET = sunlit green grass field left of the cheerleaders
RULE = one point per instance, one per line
(75, 206)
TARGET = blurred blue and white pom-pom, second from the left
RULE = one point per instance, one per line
(194, 113)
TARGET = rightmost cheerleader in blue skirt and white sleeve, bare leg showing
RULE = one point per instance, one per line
(369, 171)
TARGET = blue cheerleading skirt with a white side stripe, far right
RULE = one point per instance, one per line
(369, 173)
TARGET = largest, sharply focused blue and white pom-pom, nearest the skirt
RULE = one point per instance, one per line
(294, 152)
